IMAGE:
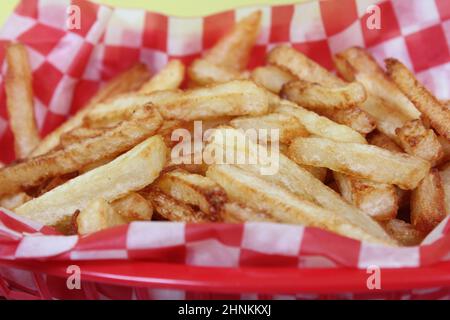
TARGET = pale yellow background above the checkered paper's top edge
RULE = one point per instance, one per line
(184, 8)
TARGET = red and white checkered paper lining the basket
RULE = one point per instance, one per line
(70, 65)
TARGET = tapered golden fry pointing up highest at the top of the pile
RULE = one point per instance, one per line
(233, 50)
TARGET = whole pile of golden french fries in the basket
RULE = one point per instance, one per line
(364, 154)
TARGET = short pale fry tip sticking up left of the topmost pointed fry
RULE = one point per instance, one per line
(169, 78)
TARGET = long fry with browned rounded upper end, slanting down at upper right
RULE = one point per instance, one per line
(358, 64)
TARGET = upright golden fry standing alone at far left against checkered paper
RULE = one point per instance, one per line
(19, 100)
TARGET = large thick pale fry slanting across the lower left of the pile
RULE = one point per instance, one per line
(129, 172)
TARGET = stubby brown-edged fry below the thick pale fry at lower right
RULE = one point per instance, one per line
(380, 201)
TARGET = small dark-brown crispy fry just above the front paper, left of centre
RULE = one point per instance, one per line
(173, 210)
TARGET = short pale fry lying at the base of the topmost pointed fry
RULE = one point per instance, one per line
(204, 73)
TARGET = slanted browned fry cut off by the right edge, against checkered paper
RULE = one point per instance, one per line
(428, 104)
